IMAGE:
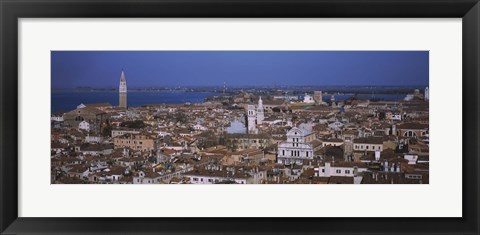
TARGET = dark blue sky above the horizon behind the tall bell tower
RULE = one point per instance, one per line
(238, 68)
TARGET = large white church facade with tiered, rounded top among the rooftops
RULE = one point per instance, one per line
(296, 148)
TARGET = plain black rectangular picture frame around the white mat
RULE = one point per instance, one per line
(11, 11)
